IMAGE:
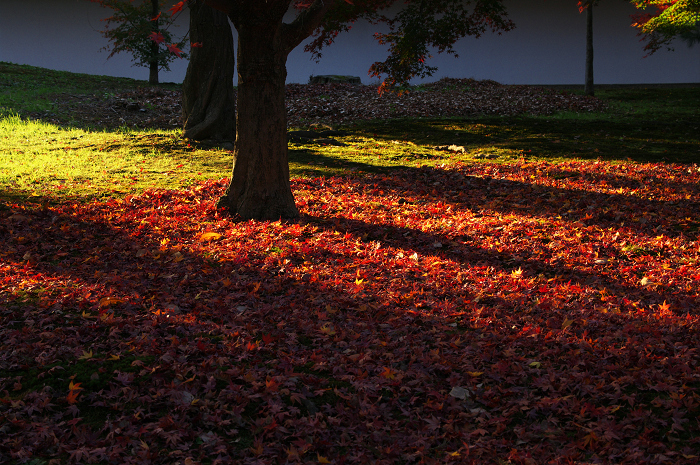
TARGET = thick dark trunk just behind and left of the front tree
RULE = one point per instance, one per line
(208, 102)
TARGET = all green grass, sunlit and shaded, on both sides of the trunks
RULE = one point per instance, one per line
(44, 161)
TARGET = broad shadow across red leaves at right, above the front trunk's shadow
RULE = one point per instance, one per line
(574, 196)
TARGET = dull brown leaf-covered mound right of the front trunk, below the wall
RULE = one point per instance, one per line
(345, 103)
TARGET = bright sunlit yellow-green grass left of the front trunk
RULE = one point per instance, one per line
(38, 159)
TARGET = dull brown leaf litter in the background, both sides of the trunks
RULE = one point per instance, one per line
(329, 104)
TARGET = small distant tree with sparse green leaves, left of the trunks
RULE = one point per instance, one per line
(141, 29)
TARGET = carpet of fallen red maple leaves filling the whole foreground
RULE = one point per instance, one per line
(527, 314)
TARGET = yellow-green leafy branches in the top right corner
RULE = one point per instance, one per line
(667, 21)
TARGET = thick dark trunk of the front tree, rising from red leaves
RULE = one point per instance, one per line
(259, 186)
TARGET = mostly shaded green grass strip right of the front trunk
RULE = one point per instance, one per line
(641, 125)
